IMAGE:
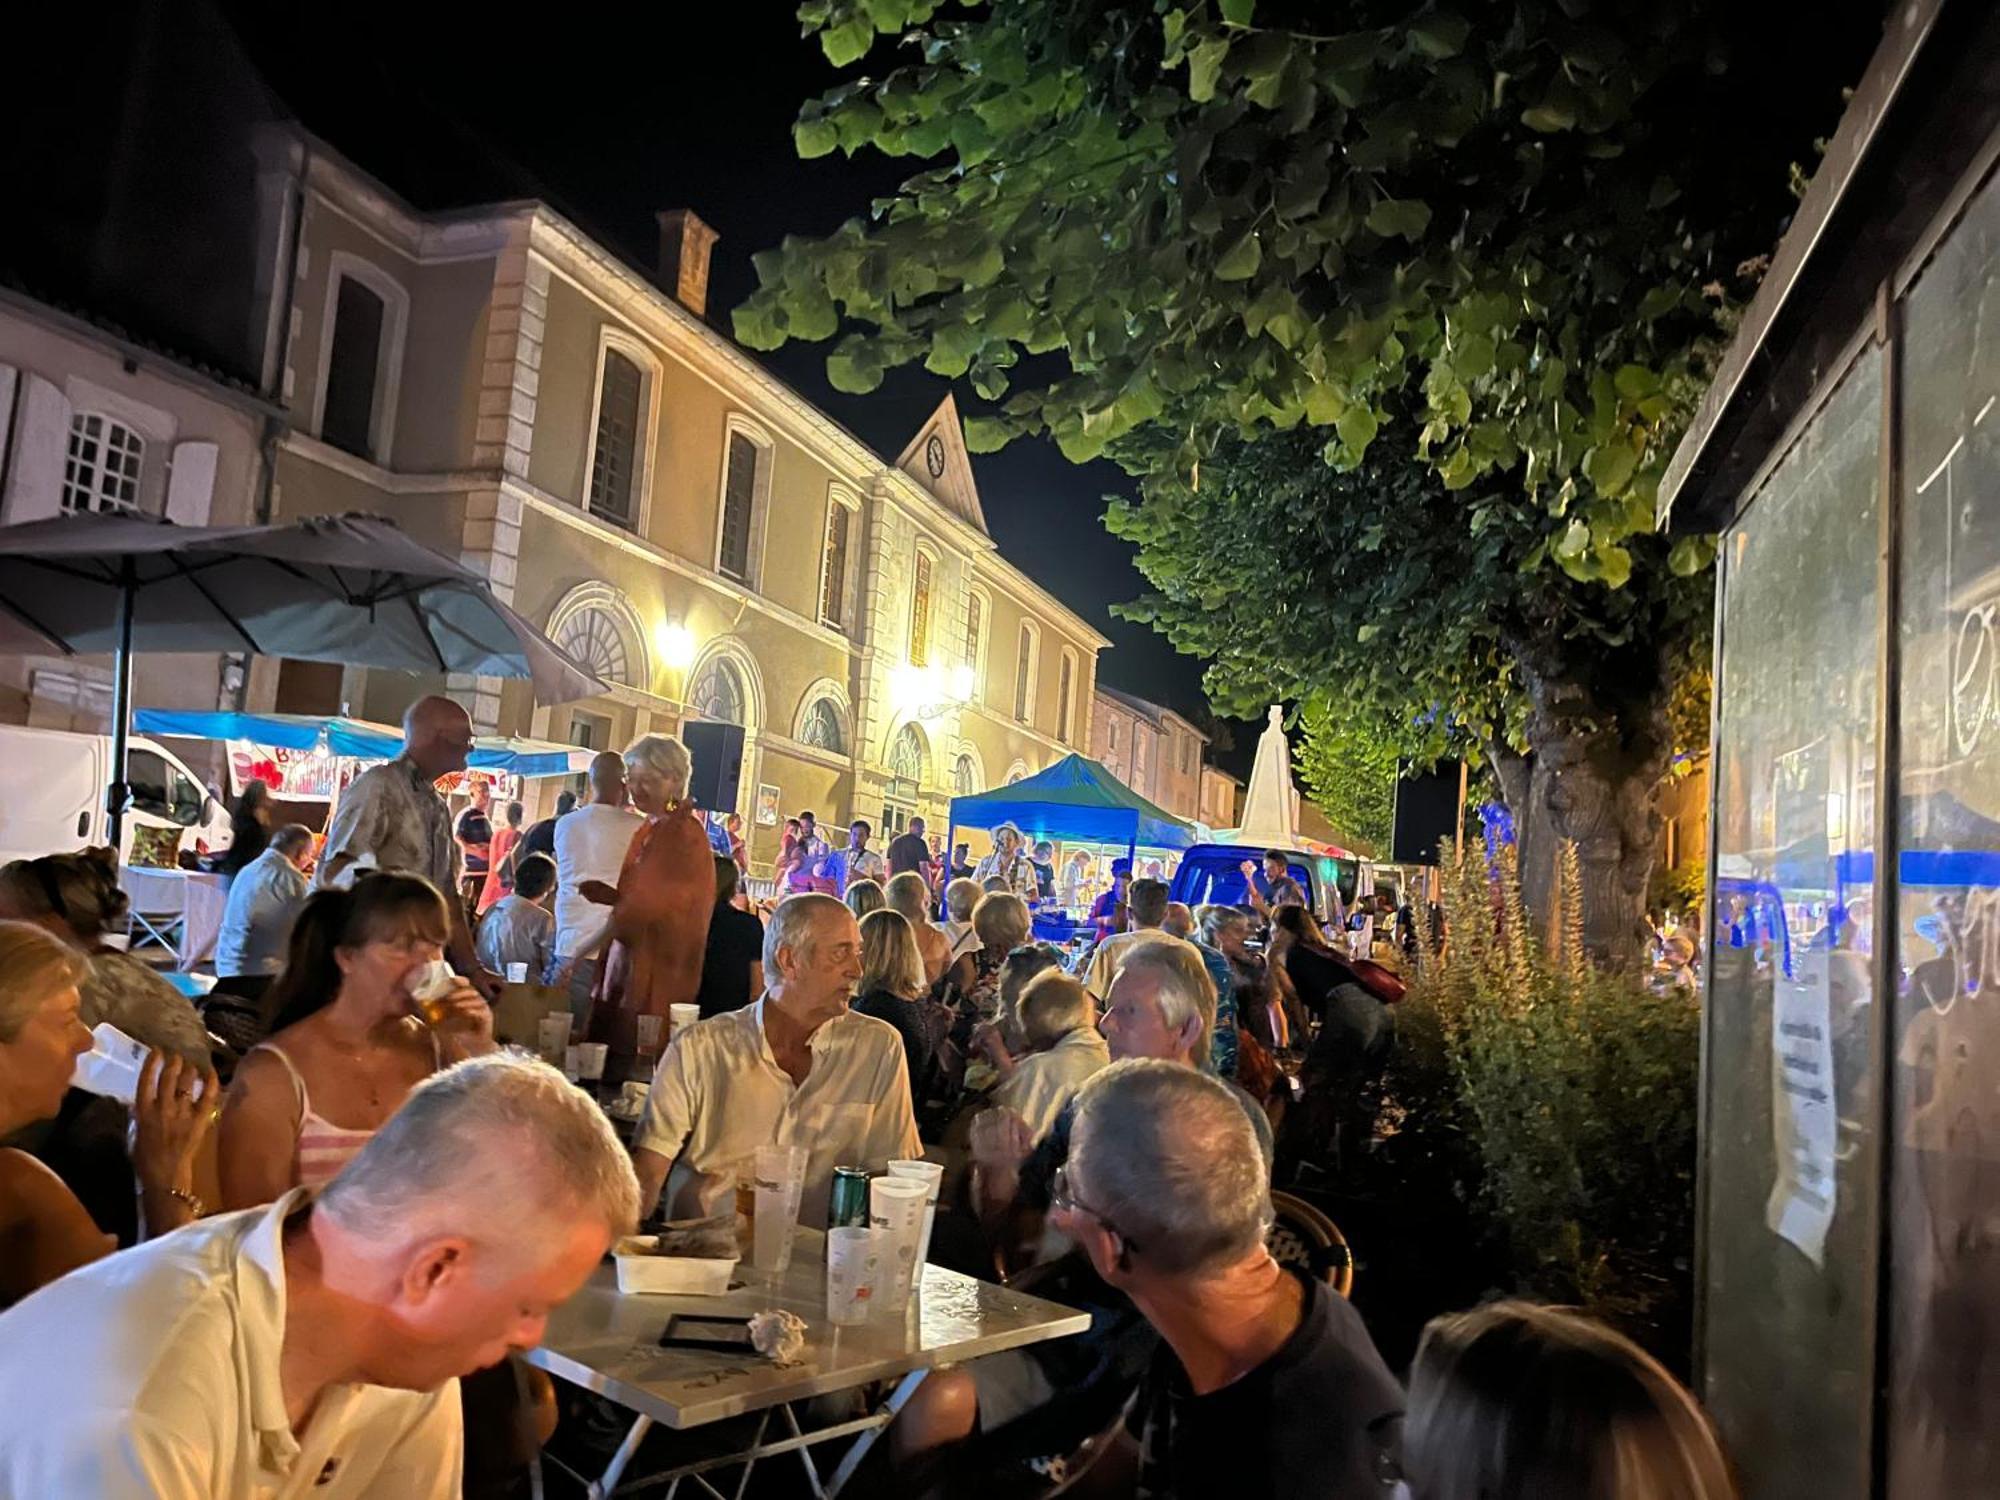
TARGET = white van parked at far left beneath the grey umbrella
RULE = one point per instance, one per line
(53, 795)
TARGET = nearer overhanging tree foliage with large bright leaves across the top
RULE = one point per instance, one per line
(1225, 217)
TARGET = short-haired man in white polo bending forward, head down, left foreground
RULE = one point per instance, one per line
(315, 1347)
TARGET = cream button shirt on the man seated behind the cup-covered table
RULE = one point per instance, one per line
(719, 1095)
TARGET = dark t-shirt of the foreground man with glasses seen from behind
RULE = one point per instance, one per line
(1319, 1421)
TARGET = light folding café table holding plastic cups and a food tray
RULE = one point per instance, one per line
(609, 1343)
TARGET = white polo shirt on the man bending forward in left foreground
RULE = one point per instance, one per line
(155, 1373)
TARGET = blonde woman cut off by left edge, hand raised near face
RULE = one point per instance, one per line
(45, 1231)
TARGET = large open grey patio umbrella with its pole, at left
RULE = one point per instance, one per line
(333, 589)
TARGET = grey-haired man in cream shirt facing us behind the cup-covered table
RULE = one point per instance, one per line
(793, 1069)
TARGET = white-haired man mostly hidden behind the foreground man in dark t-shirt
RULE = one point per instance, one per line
(1163, 1007)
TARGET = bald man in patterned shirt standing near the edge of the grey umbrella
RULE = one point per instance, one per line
(393, 819)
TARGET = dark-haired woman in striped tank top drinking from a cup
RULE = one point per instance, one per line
(349, 1043)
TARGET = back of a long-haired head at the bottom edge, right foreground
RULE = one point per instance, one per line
(1527, 1403)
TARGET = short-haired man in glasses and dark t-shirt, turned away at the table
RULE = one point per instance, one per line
(1267, 1383)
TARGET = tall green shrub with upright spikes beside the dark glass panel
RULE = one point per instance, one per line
(1577, 1089)
